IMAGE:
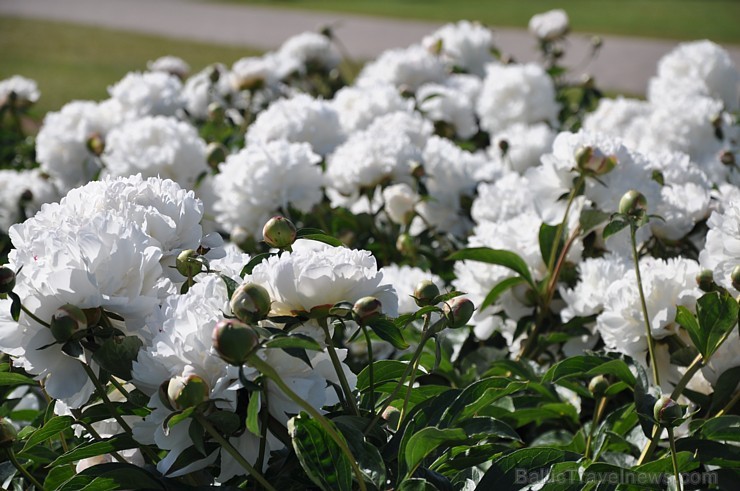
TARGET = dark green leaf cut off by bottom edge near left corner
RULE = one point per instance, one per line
(115, 476)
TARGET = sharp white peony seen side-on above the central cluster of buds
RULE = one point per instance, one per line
(317, 275)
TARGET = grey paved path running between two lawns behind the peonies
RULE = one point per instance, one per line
(624, 64)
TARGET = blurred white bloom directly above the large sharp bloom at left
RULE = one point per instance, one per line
(156, 146)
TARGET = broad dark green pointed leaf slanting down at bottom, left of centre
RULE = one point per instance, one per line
(319, 455)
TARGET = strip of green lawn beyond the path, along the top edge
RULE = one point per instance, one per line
(718, 20)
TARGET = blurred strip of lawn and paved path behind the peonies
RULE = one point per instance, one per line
(75, 49)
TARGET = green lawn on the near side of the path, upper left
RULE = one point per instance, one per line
(75, 62)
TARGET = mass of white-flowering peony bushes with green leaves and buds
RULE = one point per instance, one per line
(450, 271)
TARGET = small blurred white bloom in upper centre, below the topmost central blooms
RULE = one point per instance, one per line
(357, 107)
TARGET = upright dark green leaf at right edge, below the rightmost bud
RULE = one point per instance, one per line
(717, 315)
